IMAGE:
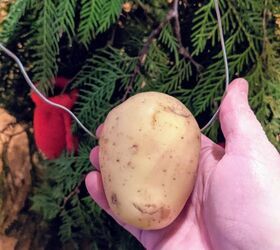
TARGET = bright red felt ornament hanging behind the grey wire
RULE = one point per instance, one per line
(52, 126)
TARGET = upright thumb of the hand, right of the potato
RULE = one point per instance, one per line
(239, 124)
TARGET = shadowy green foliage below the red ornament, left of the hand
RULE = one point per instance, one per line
(81, 220)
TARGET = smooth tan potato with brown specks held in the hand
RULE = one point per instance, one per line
(149, 150)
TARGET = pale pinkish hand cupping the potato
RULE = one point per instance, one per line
(235, 203)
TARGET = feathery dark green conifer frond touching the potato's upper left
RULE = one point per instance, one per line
(107, 70)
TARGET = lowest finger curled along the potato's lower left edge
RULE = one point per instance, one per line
(96, 190)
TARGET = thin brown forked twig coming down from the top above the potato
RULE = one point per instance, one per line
(142, 55)
